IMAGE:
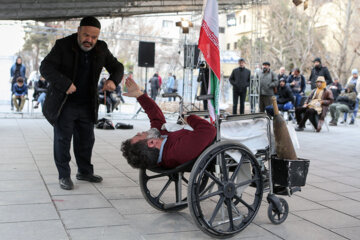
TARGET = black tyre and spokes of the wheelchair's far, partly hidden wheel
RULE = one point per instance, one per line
(155, 202)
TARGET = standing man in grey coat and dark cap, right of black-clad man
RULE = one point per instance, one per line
(268, 82)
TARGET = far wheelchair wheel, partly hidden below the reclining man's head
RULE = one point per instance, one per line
(161, 190)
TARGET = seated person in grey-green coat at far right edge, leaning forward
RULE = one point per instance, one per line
(344, 103)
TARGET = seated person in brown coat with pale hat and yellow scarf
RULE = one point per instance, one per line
(315, 107)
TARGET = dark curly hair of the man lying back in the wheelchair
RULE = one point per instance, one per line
(139, 155)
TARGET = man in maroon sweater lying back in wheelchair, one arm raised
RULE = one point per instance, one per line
(159, 147)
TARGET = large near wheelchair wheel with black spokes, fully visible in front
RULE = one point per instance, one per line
(233, 193)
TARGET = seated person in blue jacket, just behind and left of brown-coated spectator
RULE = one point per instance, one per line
(297, 84)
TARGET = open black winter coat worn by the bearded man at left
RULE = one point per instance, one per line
(59, 68)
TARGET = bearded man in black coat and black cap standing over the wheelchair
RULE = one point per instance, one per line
(72, 68)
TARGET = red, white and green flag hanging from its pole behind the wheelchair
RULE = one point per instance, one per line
(209, 46)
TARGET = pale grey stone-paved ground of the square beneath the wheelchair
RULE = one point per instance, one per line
(32, 206)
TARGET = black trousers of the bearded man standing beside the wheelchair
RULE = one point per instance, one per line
(76, 121)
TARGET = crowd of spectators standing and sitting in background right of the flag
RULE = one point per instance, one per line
(290, 91)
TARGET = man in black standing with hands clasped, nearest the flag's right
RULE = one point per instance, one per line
(240, 80)
